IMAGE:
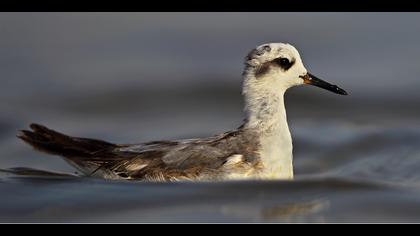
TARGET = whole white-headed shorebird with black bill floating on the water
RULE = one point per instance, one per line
(261, 148)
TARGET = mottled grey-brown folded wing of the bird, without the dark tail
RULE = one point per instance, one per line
(208, 158)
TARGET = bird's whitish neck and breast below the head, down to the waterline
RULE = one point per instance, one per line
(266, 116)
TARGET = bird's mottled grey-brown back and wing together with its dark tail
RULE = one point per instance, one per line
(193, 159)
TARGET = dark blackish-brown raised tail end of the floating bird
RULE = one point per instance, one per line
(53, 142)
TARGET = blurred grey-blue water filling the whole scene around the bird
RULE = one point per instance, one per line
(134, 77)
